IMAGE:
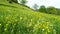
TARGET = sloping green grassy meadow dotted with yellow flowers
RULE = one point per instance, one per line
(17, 19)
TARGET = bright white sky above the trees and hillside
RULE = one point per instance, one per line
(47, 3)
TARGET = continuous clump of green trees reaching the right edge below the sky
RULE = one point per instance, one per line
(49, 10)
